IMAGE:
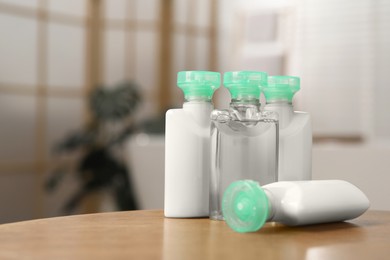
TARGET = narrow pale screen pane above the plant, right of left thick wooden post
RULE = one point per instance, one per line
(114, 58)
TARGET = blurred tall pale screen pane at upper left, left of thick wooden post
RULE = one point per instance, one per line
(66, 56)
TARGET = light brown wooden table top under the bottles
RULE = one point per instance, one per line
(148, 235)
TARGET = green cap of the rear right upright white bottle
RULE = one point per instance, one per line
(281, 88)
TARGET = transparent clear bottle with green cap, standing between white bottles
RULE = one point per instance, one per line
(244, 140)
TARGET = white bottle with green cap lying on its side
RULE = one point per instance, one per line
(247, 206)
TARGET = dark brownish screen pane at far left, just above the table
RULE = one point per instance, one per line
(17, 200)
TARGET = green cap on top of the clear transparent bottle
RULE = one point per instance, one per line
(245, 84)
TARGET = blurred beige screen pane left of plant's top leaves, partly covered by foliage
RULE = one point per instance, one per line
(64, 116)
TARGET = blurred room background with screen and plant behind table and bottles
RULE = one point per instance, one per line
(56, 54)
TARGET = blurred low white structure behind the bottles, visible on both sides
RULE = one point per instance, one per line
(366, 166)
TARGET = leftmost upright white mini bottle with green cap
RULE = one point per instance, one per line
(187, 147)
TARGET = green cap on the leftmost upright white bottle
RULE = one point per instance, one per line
(197, 84)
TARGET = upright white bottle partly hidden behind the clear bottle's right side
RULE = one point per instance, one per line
(295, 134)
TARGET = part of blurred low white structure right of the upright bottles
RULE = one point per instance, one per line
(366, 166)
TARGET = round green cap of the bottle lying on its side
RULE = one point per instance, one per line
(245, 206)
